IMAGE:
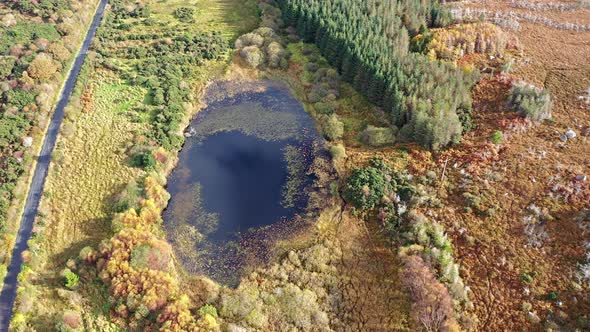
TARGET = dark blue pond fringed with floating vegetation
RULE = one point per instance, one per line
(242, 180)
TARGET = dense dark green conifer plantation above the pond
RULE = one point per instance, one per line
(368, 42)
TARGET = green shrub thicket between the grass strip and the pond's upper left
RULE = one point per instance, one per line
(162, 63)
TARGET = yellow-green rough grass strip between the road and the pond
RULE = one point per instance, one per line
(92, 152)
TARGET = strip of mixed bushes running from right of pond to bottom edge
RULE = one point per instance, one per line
(431, 275)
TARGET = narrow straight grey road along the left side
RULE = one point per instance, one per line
(8, 293)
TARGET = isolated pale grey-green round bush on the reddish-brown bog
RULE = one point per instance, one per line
(530, 102)
